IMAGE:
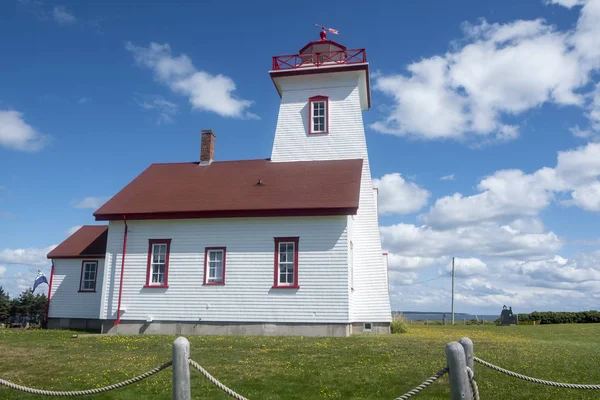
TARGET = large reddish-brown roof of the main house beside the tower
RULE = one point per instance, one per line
(232, 189)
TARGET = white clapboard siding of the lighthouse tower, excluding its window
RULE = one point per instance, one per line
(345, 140)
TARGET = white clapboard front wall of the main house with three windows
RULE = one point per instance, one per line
(247, 295)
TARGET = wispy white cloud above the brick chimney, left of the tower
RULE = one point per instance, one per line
(205, 91)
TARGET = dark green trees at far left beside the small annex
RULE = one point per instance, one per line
(27, 308)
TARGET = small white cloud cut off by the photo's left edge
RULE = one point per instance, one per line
(16, 134)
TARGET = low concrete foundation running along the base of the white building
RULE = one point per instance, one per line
(219, 328)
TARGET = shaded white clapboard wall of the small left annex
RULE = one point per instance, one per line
(66, 301)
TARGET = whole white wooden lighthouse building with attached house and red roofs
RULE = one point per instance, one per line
(285, 245)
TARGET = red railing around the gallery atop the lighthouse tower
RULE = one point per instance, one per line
(308, 60)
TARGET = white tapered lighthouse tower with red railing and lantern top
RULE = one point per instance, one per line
(324, 89)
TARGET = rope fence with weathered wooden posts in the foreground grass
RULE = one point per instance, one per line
(459, 355)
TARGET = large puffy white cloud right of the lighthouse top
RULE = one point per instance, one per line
(495, 72)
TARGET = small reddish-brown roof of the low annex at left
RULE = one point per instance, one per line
(88, 241)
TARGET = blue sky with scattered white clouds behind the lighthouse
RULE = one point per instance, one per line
(498, 97)
